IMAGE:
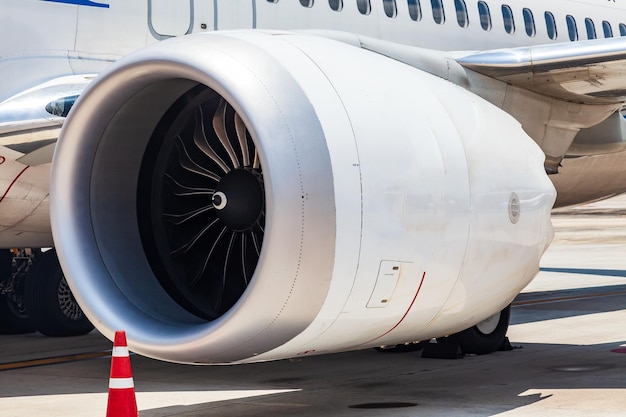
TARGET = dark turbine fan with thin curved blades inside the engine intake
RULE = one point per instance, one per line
(202, 223)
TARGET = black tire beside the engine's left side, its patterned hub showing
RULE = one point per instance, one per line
(48, 314)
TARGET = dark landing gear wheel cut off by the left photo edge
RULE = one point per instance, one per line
(13, 317)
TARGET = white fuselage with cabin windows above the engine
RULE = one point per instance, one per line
(49, 39)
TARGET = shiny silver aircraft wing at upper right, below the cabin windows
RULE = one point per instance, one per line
(589, 72)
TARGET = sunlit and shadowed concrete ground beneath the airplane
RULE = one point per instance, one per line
(569, 325)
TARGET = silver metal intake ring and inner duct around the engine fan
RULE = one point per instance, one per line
(94, 193)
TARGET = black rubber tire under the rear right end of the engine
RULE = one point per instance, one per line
(473, 341)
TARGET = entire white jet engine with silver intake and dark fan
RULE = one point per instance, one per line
(250, 196)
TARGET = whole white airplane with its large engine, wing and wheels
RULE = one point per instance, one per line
(235, 181)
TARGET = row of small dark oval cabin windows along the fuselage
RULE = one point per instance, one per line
(439, 16)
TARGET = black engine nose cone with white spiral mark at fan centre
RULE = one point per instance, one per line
(238, 199)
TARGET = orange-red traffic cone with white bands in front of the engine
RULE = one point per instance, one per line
(122, 402)
